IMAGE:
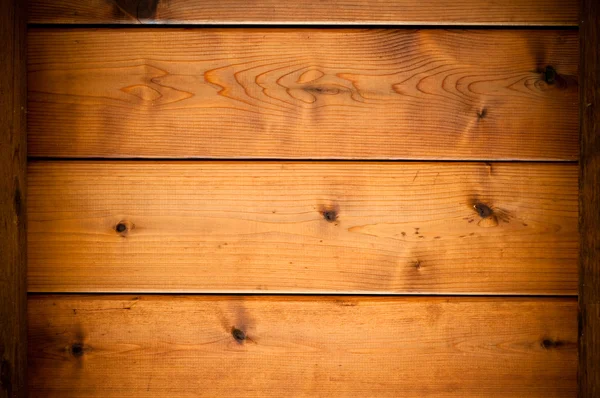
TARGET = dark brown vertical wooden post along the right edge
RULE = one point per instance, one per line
(589, 203)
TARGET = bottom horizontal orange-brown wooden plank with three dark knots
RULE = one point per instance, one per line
(258, 346)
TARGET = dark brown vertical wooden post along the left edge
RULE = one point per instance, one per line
(13, 162)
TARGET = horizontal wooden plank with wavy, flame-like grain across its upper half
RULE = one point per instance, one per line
(303, 93)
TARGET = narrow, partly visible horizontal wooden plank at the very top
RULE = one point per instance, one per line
(409, 12)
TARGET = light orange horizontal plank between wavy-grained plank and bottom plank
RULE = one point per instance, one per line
(302, 227)
